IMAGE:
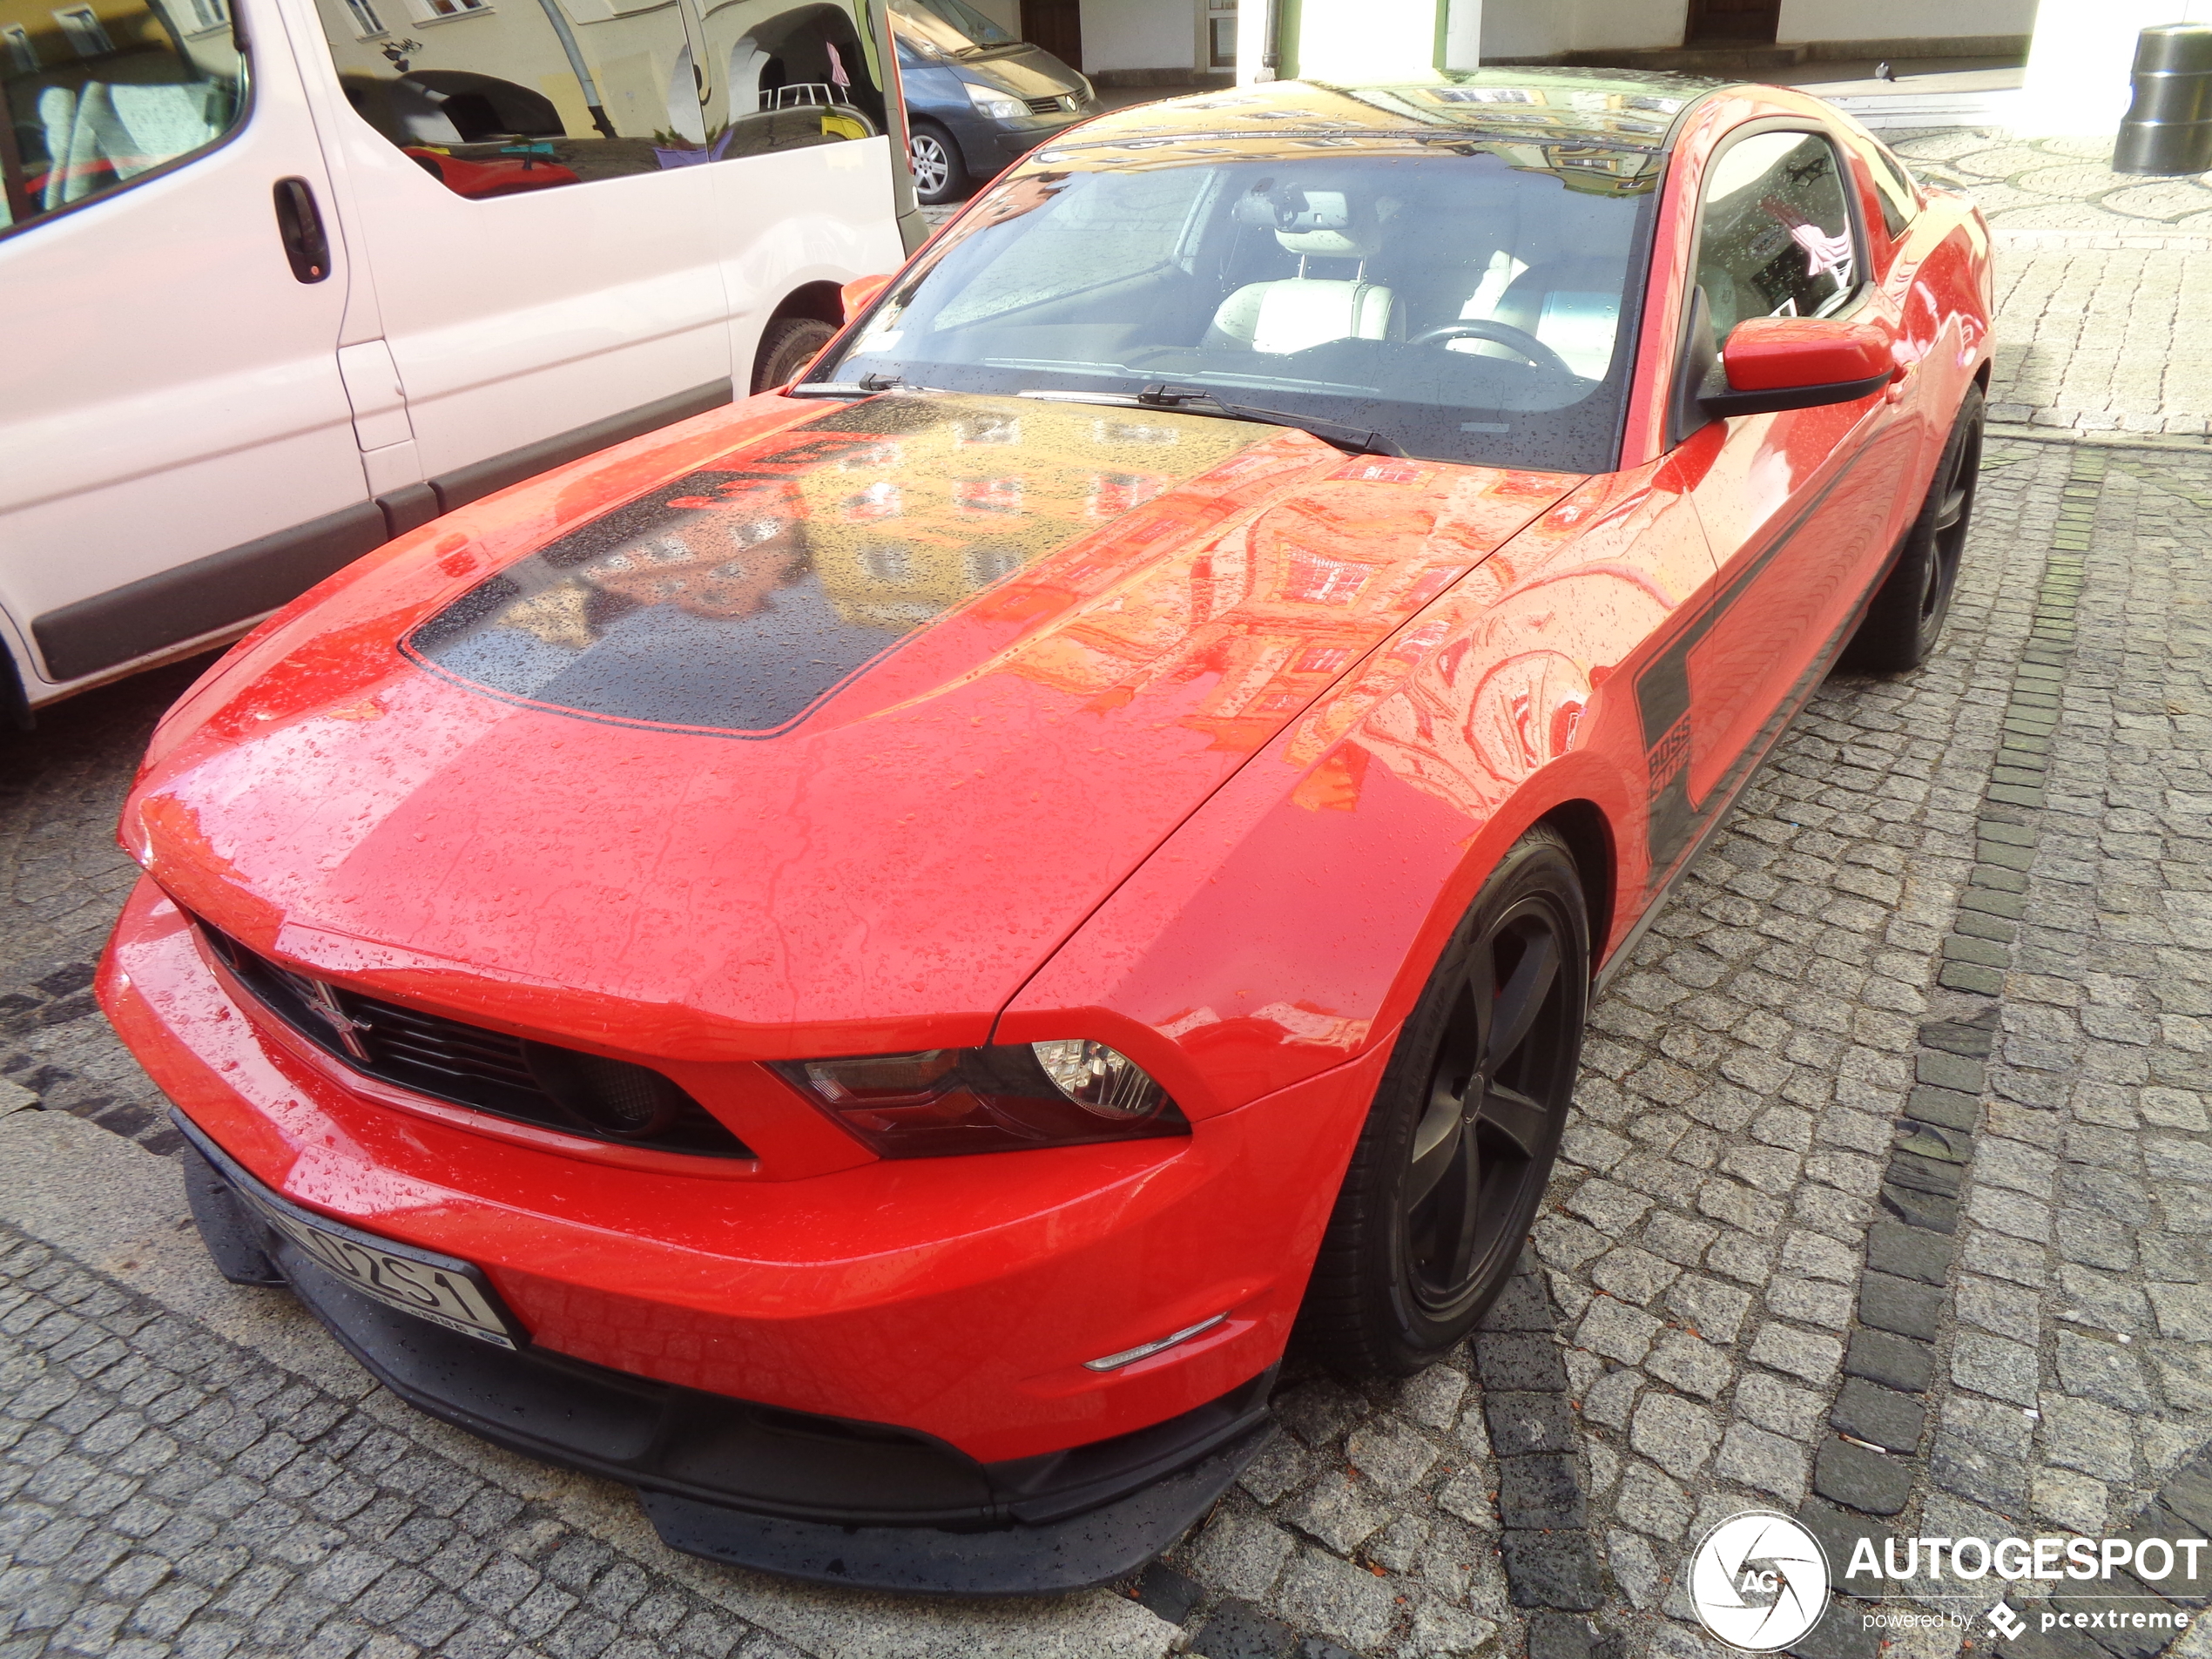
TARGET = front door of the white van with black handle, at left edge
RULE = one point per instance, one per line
(178, 444)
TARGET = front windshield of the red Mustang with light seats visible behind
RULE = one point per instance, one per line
(1463, 304)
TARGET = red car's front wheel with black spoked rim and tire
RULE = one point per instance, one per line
(1432, 1218)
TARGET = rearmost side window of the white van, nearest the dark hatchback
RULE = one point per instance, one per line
(789, 76)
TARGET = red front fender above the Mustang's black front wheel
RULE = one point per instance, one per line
(1293, 921)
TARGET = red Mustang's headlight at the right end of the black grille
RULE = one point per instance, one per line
(990, 1100)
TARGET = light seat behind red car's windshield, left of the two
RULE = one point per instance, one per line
(1295, 313)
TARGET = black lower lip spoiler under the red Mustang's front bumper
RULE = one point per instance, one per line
(784, 1492)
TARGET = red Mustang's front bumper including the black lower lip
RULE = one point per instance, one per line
(884, 1357)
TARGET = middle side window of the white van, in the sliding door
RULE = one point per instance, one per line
(497, 98)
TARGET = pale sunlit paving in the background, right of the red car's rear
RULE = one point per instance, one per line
(2105, 282)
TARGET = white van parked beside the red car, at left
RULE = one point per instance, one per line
(284, 282)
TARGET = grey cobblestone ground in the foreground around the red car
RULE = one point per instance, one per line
(1895, 1127)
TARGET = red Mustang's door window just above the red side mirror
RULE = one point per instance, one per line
(1775, 233)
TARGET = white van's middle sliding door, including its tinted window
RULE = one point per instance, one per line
(525, 187)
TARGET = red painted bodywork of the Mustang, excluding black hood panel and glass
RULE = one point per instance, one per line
(1211, 784)
